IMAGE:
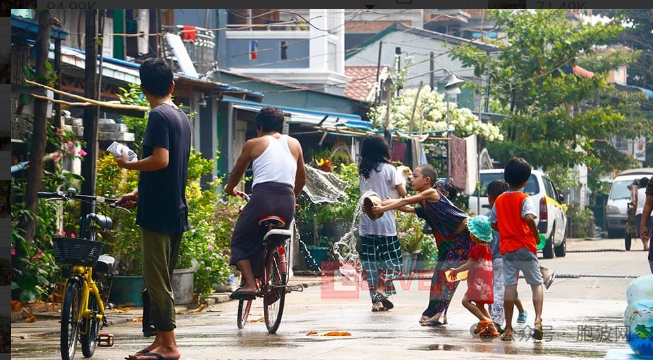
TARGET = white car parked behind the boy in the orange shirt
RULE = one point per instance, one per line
(552, 217)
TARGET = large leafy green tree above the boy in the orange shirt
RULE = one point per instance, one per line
(557, 119)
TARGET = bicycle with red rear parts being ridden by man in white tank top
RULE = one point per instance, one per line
(273, 286)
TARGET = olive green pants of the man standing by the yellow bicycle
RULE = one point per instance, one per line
(160, 252)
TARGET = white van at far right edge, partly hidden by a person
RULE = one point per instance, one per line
(617, 207)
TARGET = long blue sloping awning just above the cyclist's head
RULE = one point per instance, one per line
(305, 116)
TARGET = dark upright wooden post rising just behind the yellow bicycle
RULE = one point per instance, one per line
(90, 112)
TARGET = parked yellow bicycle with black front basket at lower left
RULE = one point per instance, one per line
(82, 310)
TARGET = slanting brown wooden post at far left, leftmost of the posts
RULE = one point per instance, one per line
(39, 133)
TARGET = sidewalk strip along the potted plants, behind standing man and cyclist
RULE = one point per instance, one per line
(47, 323)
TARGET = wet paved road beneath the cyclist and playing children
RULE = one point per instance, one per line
(570, 303)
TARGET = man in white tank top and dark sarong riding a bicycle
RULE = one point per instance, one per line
(279, 177)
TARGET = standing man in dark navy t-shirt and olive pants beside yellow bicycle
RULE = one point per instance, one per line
(162, 209)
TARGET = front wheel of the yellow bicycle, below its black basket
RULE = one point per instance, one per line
(70, 318)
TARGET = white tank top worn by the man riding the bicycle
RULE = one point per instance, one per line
(276, 164)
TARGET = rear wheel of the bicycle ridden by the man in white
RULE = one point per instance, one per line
(275, 294)
